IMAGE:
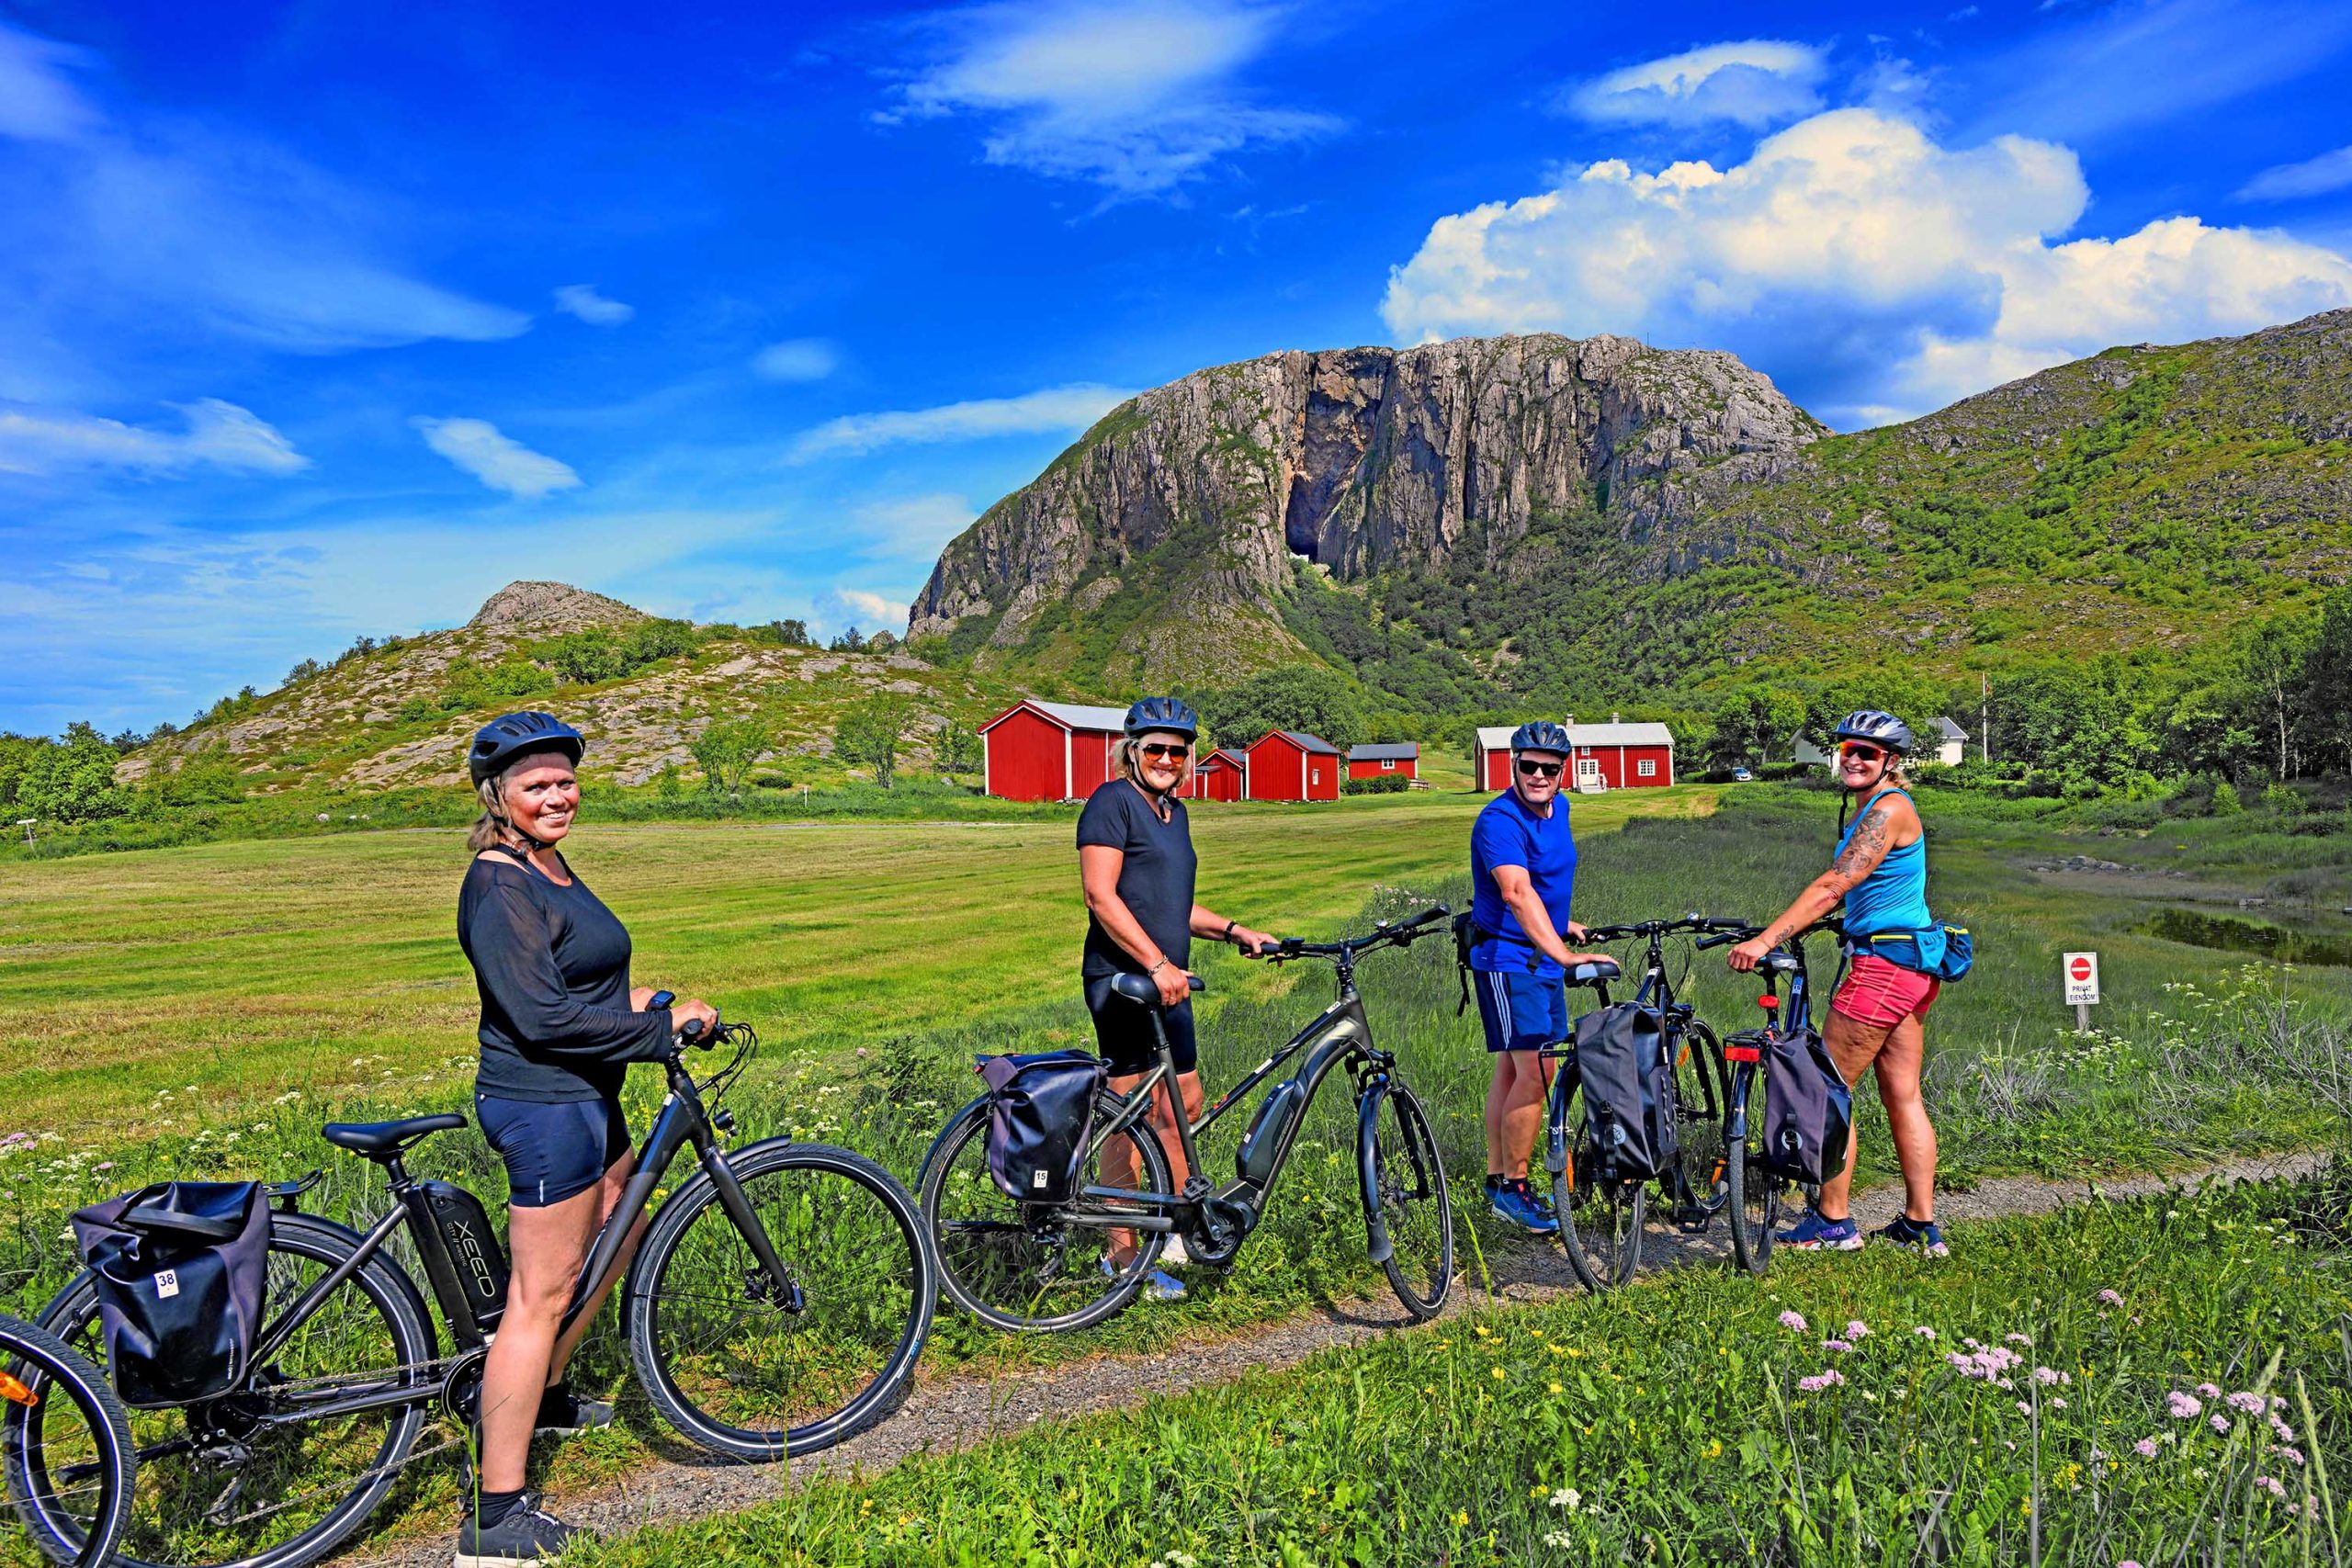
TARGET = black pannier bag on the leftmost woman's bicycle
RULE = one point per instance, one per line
(180, 1294)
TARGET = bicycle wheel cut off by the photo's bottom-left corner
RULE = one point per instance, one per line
(74, 1485)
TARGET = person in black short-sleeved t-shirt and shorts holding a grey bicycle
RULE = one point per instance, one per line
(1135, 862)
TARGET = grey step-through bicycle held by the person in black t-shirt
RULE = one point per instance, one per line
(1041, 1268)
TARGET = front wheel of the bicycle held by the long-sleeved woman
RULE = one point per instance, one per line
(829, 1214)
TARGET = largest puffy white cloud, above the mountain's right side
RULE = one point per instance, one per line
(1899, 272)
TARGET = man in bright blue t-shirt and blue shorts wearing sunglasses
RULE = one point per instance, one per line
(1523, 869)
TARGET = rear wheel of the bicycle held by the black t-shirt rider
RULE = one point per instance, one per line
(984, 1238)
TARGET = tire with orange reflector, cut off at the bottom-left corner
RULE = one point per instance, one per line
(58, 1369)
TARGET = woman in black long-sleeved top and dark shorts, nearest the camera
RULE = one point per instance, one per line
(561, 1026)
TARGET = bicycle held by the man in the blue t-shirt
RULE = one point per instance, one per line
(1603, 1221)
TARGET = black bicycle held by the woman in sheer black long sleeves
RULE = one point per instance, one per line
(777, 1306)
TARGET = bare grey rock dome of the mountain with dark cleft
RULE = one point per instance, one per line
(1363, 460)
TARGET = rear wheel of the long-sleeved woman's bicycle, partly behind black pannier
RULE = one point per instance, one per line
(253, 1477)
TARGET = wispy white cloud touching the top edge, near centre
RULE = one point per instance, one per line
(1132, 95)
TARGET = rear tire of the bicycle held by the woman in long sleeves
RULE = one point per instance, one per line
(180, 1475)
